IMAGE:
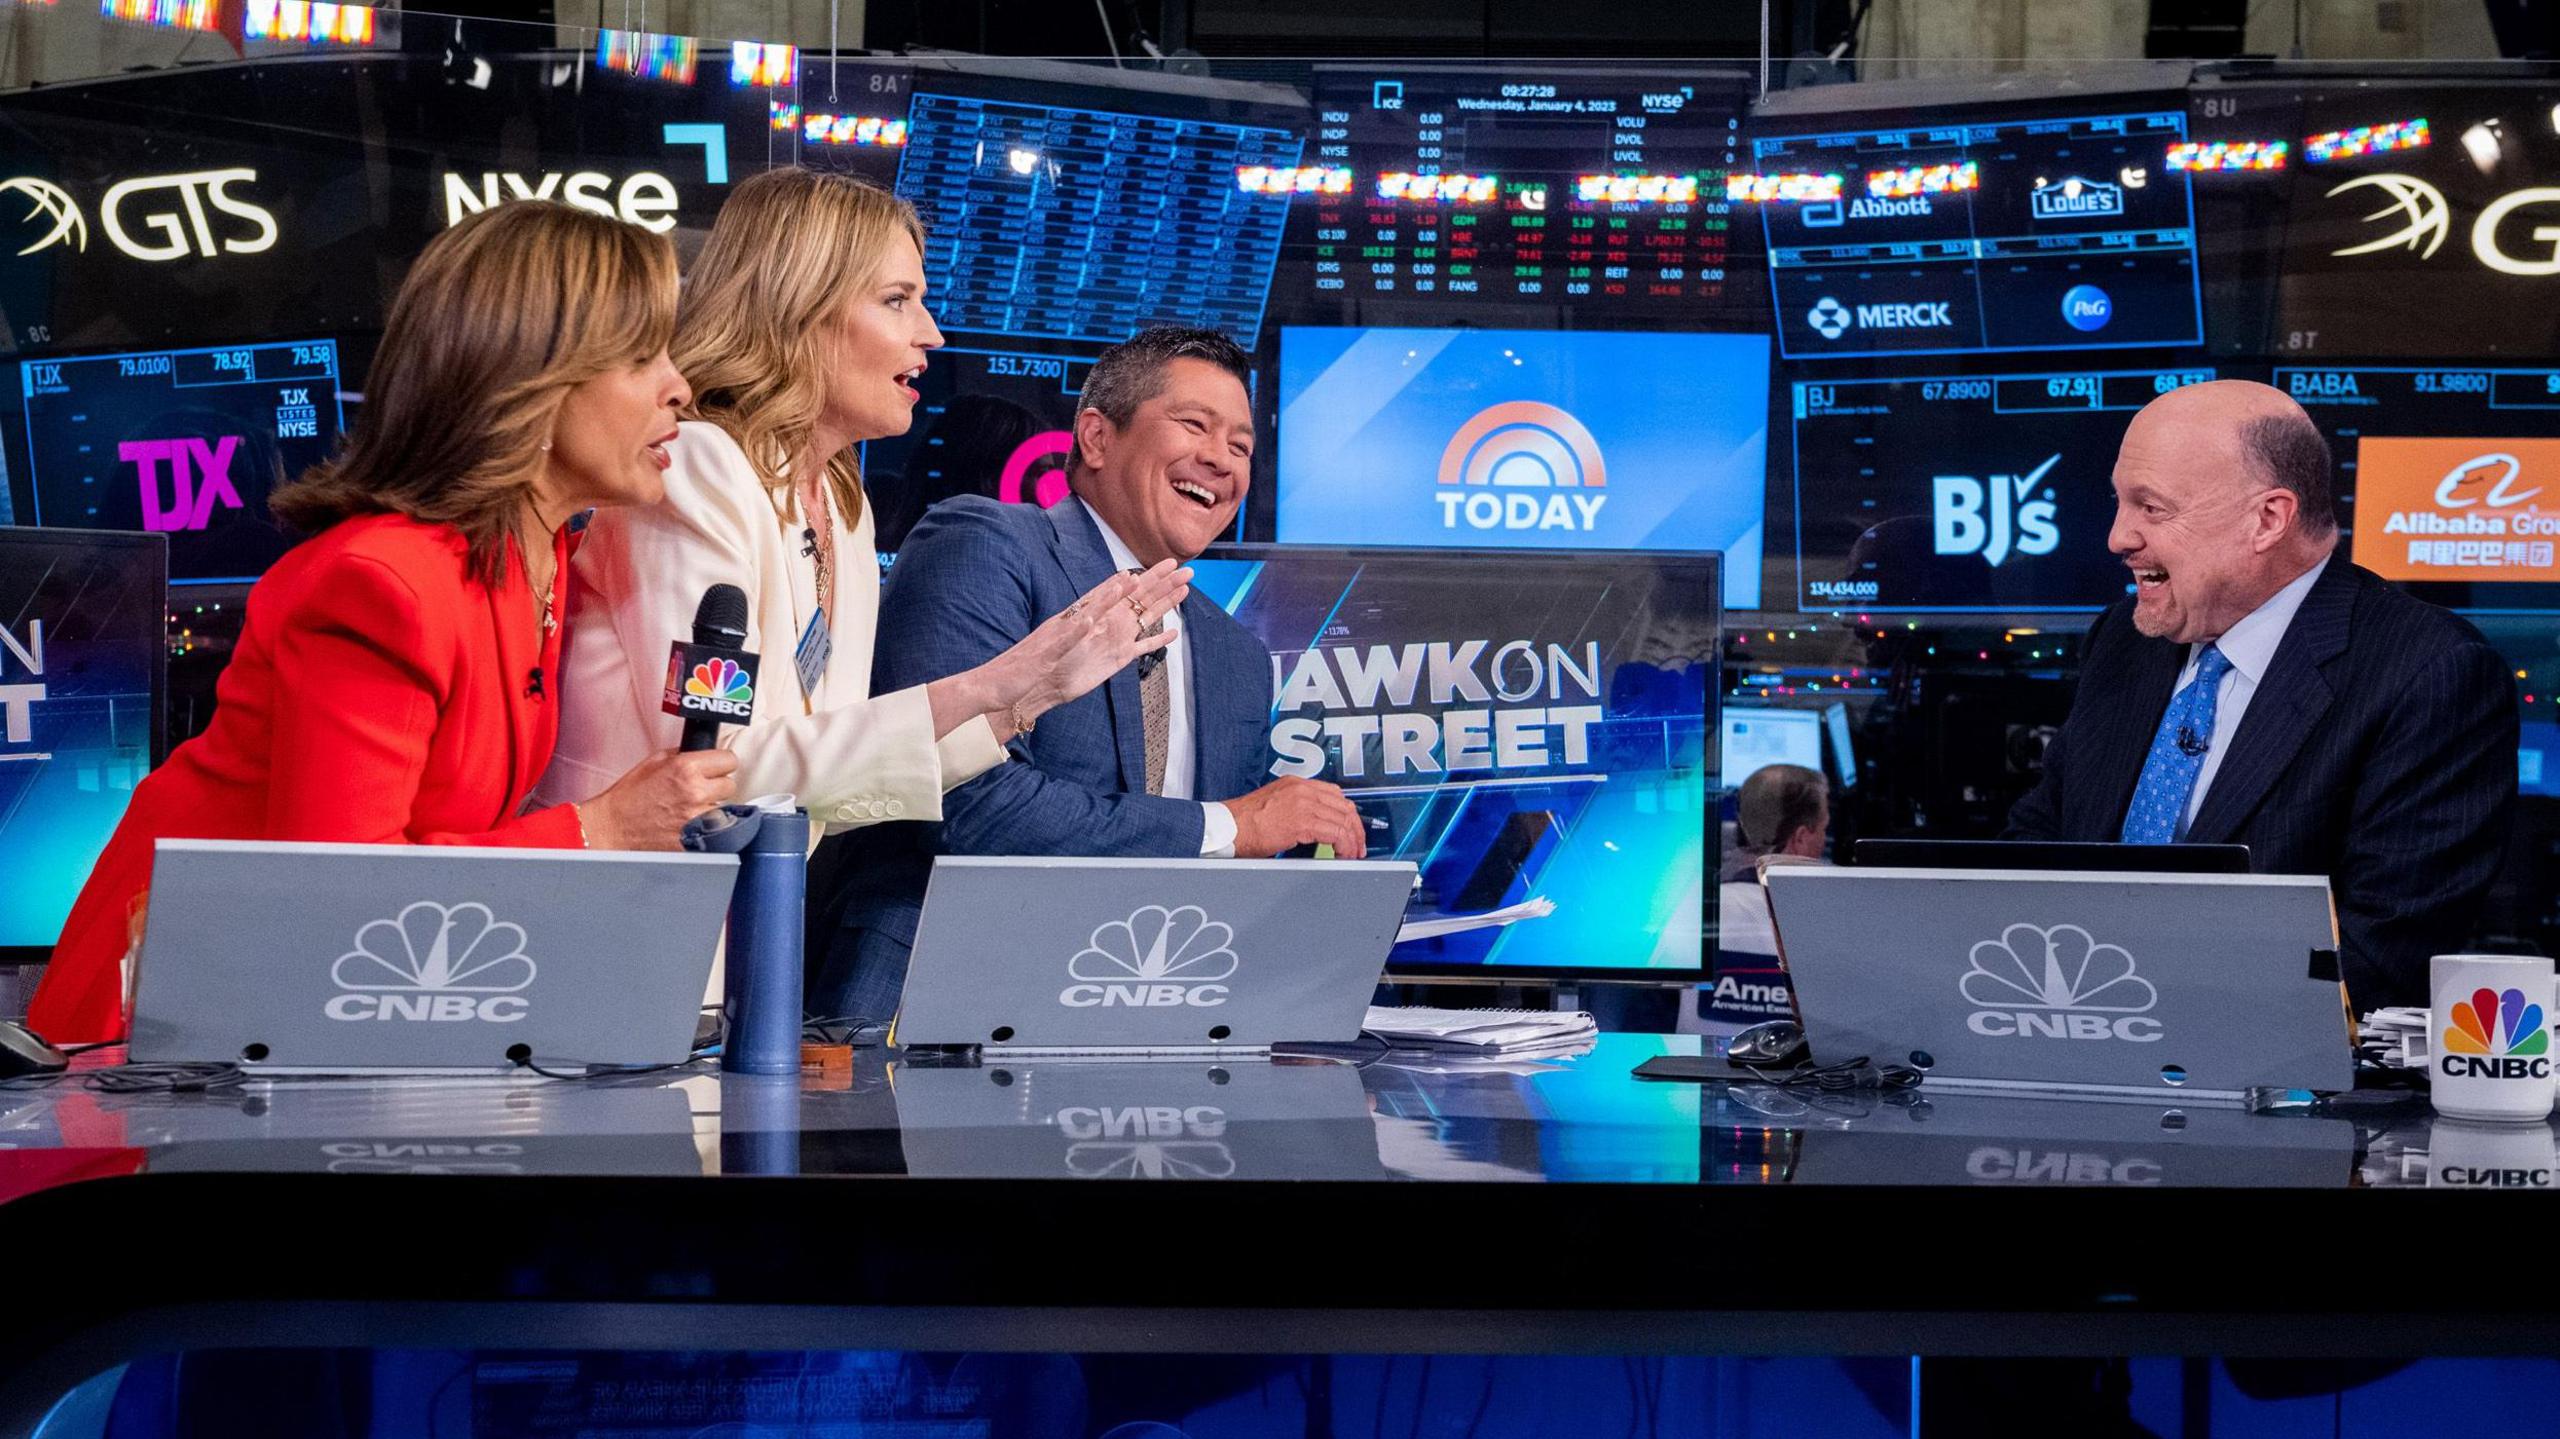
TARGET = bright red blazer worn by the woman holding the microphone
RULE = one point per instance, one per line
(380, 695)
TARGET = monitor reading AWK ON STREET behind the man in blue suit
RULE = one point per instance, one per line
(1530, 728)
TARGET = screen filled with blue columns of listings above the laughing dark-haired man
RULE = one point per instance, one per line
(1084, 224)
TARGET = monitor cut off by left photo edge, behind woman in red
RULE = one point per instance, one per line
(83, 662)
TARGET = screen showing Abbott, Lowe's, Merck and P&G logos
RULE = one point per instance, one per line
(1939, 237)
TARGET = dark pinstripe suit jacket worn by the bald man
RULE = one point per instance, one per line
(2377, 752)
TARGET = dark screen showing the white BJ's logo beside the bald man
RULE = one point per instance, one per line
(1962, 493)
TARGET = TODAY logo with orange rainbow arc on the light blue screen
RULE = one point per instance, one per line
(1537, 454)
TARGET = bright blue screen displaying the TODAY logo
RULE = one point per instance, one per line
(1527, 439)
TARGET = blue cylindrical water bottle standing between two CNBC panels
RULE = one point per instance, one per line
(762, 992)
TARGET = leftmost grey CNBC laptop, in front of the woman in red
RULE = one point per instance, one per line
(401, 959)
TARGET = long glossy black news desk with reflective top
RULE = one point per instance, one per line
(1253, 1207)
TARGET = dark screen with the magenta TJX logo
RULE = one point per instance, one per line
(183, 444)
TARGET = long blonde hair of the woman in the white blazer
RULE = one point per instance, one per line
(785, 257)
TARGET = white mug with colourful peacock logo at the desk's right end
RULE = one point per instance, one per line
(2492, 1031)
